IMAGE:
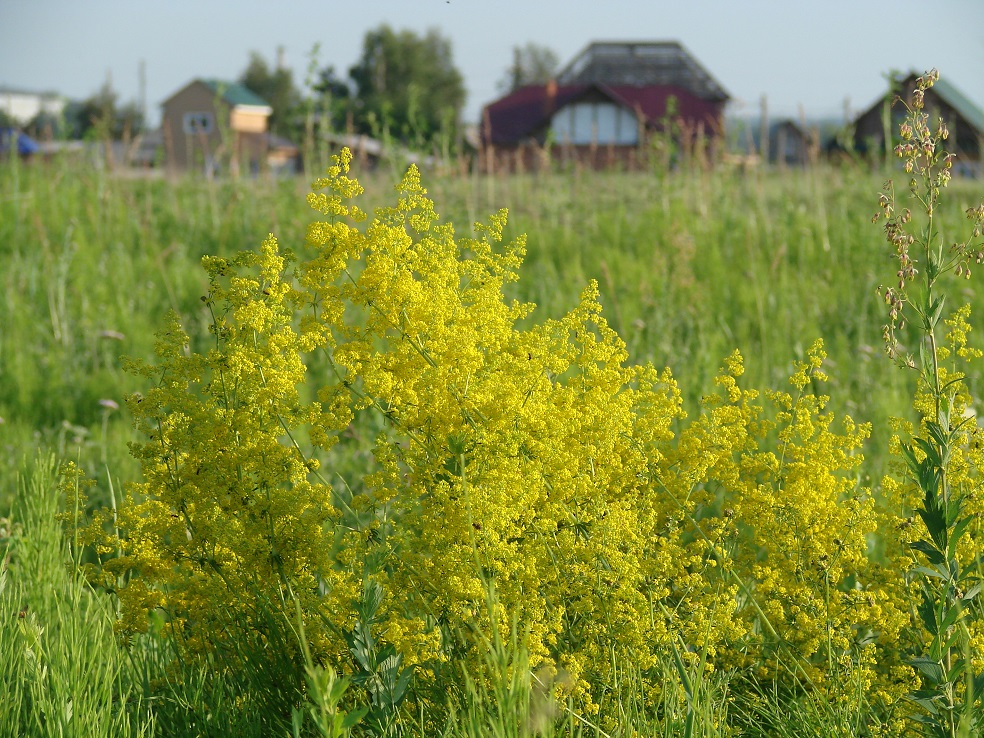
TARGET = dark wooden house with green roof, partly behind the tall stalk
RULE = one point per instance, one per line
(963, 118)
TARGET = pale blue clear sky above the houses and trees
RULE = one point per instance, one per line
(801, 54)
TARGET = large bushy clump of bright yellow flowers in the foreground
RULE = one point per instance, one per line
(534, 463)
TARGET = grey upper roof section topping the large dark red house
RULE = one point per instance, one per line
(642, 63)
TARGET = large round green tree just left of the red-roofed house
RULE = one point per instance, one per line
(407, 84)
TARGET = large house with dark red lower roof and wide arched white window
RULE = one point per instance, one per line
(604, 107)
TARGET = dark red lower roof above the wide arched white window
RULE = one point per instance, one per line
(525, 112)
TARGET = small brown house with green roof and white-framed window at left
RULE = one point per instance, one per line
(208, 122)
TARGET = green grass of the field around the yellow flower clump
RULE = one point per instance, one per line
(690, 267)
